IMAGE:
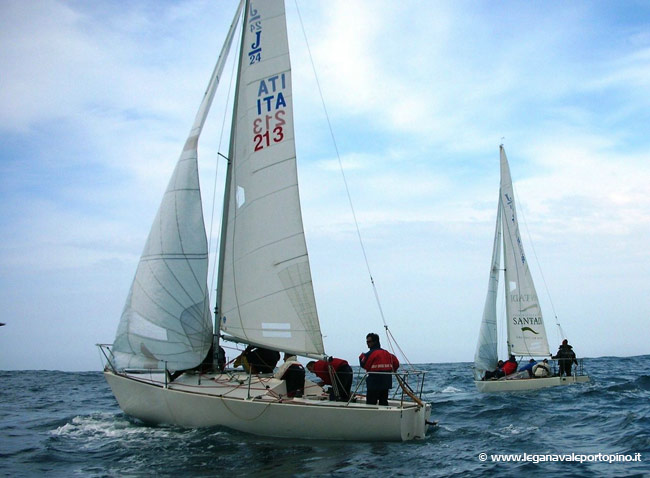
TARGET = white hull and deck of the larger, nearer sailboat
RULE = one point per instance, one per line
(191, 401)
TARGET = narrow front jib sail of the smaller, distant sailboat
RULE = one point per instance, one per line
(486, 355)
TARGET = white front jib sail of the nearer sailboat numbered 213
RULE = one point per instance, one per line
(166, 321)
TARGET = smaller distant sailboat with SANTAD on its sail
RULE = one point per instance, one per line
(526, 332)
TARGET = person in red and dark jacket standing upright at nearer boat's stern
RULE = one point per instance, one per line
(379, 364)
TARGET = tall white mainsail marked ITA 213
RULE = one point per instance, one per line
(265, 295)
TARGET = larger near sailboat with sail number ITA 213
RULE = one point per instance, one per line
(265, 296)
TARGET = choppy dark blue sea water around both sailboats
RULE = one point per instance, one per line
(69, 424)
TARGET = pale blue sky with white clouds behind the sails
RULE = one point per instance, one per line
(97, 98)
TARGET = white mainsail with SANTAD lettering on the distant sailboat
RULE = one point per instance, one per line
(525, 325)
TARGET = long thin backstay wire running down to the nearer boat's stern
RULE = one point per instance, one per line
(391, 339)
